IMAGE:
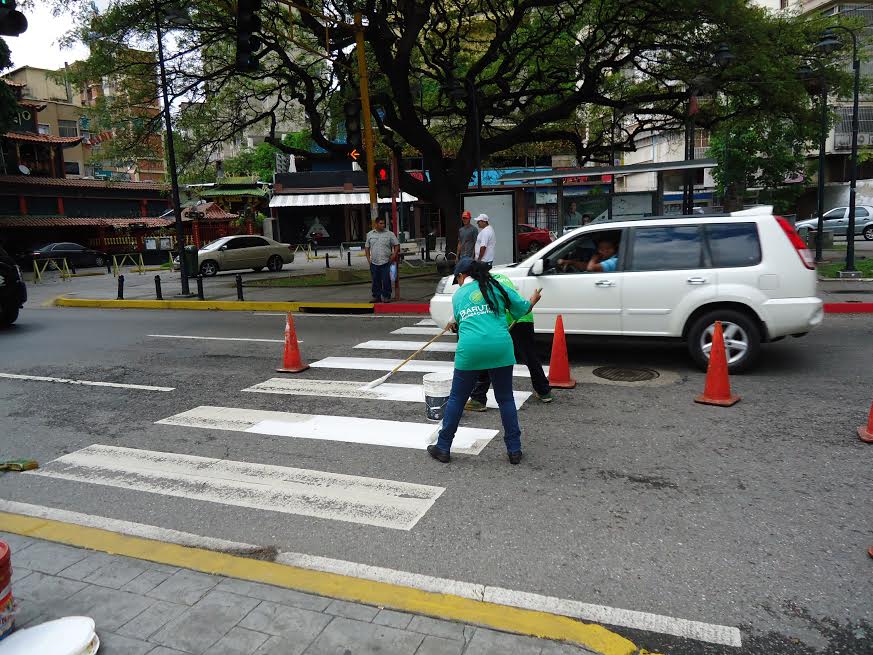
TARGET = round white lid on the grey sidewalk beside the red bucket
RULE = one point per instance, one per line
(73, 635)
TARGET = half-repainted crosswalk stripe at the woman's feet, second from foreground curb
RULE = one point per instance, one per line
(349, 429)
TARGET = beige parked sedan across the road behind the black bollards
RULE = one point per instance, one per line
(231, 253)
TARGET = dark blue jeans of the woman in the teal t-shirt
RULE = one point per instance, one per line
(462, 385)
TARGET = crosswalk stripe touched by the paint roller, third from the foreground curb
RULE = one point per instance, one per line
(407, 393)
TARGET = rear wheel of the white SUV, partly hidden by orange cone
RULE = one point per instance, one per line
(742, 339)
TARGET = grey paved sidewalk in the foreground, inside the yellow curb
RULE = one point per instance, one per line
(145, 608)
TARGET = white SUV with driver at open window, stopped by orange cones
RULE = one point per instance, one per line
(675, 277)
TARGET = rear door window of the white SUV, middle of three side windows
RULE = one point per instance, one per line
(667, 248)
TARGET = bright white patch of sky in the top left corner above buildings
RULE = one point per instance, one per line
(38, 46)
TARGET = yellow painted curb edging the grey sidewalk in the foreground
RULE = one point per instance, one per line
(332, 585)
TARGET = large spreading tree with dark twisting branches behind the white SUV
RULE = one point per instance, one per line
(573, 74)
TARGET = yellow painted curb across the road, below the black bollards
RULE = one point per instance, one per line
(223, 305)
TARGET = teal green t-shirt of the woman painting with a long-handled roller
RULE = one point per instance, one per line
(483, 337)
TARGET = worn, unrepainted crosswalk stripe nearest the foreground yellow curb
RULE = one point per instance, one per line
(334, 496)
